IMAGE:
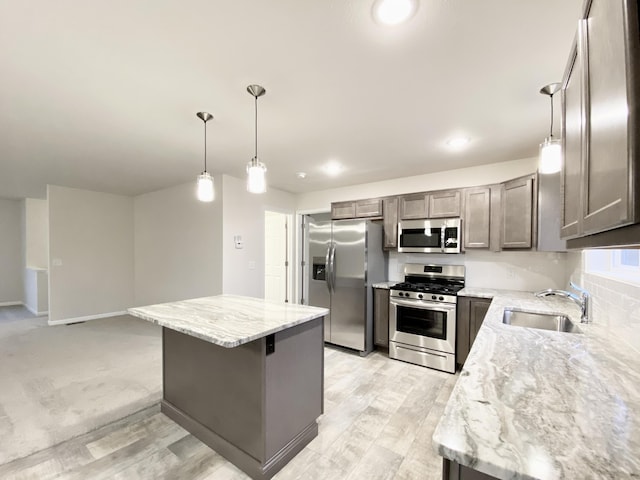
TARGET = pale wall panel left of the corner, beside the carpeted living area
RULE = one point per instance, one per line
(91, 254)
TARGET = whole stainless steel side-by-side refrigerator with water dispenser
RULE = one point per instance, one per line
(345, 258)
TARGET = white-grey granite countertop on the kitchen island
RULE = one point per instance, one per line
(228, 320)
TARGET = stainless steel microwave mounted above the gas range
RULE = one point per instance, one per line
(437, 235)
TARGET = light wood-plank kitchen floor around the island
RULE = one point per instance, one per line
(379, 417)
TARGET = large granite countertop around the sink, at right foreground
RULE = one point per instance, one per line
(534, 404)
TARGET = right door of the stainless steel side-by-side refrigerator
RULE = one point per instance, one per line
(348, 313)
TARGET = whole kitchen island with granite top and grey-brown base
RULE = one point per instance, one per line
(244, 375)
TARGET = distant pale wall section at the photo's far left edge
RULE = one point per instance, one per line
(11, 251)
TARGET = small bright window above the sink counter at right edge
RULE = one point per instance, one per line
(622, 265)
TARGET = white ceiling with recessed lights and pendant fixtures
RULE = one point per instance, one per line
(103, 95)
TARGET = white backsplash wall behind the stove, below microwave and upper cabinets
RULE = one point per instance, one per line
(483, 269)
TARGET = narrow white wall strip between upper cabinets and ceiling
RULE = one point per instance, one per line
(320, 201)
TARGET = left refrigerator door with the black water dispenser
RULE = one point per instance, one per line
(319, 235)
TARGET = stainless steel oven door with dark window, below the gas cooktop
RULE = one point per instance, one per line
(423, 324)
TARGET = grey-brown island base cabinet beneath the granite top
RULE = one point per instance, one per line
(255, 404)
